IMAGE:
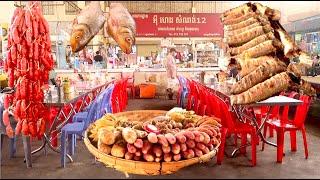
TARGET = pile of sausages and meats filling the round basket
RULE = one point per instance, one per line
(161, 139)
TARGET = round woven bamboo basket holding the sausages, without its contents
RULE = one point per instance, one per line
(141, 167)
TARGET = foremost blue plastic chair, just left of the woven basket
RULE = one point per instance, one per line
(76, 128)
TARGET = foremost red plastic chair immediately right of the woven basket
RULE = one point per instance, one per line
(231, 126)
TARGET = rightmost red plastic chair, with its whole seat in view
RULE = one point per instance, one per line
(297, 123)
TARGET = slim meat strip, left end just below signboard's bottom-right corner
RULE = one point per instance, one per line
(246, 36)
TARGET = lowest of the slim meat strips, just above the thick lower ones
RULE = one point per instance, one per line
(264, 37)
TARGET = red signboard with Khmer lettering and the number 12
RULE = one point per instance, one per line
(178, 24)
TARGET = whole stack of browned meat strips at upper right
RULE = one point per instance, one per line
(262, 50)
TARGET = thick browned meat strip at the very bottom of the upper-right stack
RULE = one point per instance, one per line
(261, 91)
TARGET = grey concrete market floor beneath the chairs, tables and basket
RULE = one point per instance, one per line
(294, 165)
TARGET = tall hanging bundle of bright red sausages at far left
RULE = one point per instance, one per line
(28, 63)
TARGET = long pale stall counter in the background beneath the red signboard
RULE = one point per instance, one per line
(158, 76)
